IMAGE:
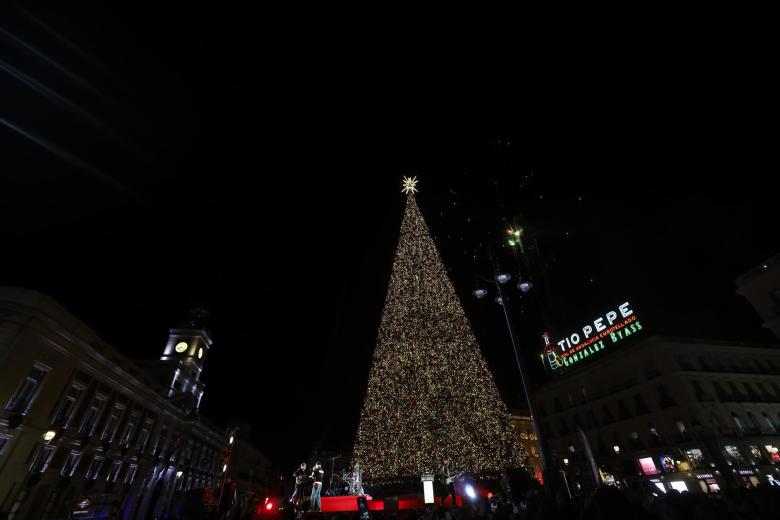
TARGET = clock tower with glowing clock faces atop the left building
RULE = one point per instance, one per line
(184, 356)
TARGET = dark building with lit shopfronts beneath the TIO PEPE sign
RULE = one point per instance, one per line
(669, 414)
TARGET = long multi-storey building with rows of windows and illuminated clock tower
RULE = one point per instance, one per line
(83, 424)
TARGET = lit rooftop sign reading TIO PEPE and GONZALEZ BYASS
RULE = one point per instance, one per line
(593, 337)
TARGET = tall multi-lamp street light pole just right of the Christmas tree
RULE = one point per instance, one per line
(500, 280)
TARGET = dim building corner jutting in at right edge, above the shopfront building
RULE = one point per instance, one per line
(761, 286)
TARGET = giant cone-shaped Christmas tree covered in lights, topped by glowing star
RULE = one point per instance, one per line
(430, 393)
